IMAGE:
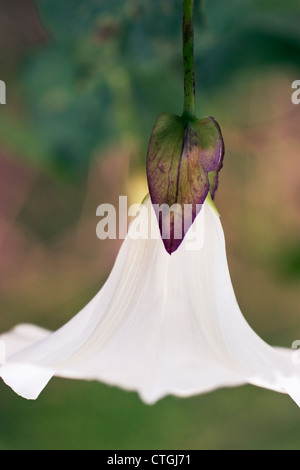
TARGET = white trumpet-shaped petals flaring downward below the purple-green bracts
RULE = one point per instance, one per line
(160, 325)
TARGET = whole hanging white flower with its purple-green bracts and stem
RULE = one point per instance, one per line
(166, 321)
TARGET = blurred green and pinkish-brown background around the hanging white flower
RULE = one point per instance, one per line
(86, 80)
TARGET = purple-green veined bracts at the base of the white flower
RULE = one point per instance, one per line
(184, 158)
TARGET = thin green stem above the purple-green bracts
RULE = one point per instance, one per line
(188, 57)
